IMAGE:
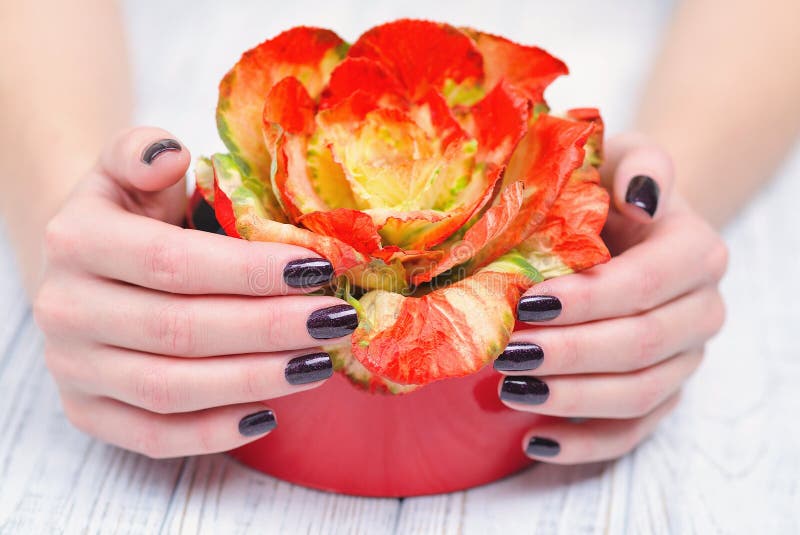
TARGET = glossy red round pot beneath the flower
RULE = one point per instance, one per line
(447, 436)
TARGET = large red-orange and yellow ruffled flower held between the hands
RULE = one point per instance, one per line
(424, 163)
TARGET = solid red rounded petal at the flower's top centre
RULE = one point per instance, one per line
(421, 54)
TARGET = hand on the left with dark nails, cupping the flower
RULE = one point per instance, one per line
(164, 340)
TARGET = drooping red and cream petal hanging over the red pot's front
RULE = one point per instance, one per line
(450, 332)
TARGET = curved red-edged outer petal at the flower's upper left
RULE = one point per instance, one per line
(309, 54)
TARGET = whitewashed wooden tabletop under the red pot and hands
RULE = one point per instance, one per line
(727, 461)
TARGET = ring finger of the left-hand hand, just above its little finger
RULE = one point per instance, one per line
(169, 385)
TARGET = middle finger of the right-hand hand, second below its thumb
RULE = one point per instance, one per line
(616, 345)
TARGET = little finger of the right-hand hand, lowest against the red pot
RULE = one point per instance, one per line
(565, 442)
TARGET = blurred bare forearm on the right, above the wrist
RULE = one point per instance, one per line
(723, 99)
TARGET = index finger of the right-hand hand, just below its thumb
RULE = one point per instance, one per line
(682, 253)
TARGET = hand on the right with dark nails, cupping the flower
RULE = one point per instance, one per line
(615, 344)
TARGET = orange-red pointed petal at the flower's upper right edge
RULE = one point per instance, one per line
(528, 68)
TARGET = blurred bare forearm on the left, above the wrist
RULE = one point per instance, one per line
(65, 88)
